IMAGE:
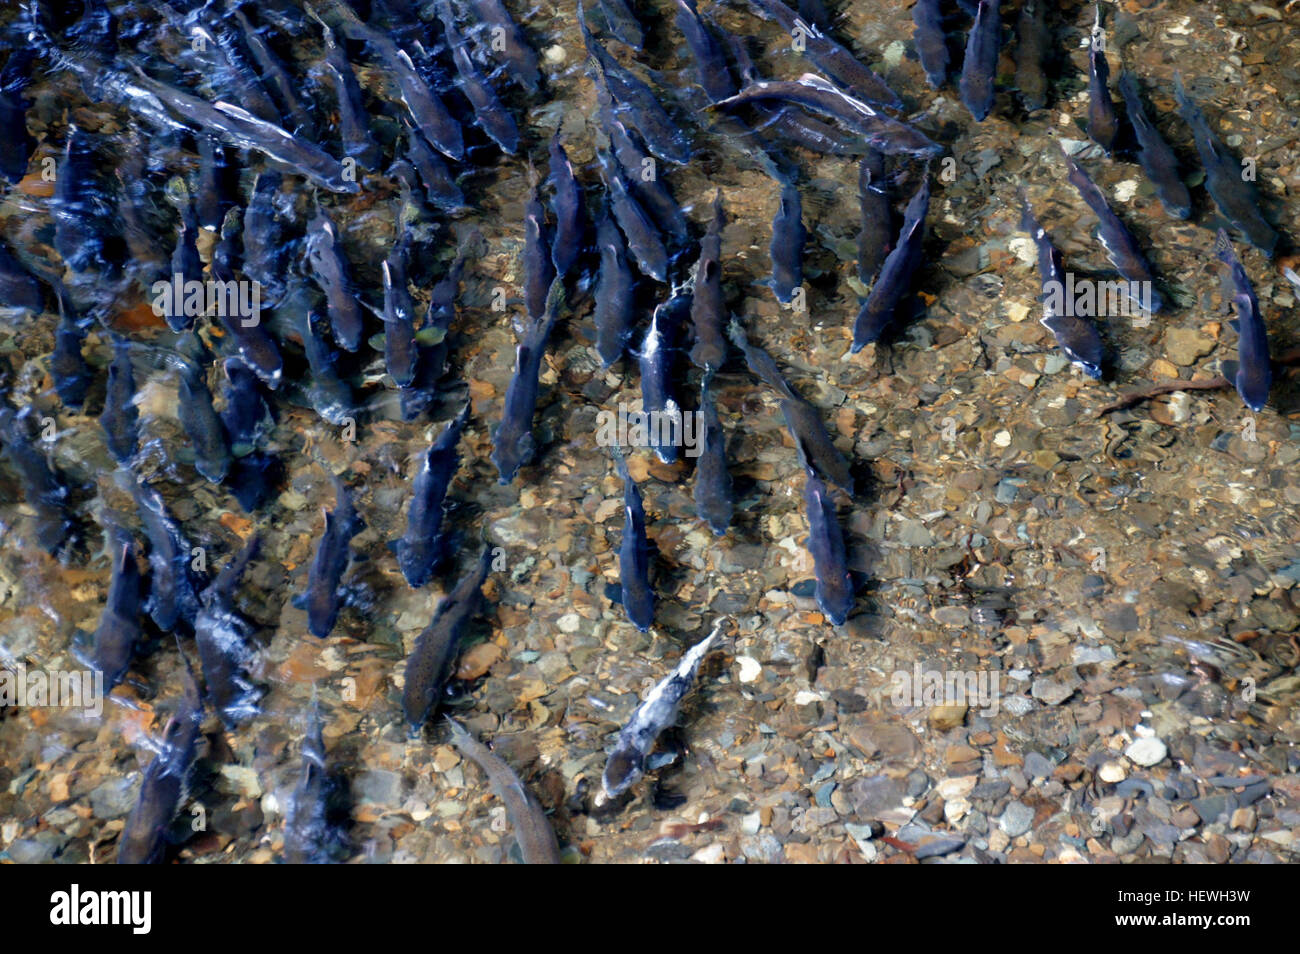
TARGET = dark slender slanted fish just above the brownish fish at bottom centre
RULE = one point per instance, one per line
(430, 665)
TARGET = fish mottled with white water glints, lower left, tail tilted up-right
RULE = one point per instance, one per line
(227, 652)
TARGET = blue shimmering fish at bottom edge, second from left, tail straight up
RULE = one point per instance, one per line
(314, 831)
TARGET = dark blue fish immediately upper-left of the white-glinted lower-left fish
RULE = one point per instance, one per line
(175, 583)
